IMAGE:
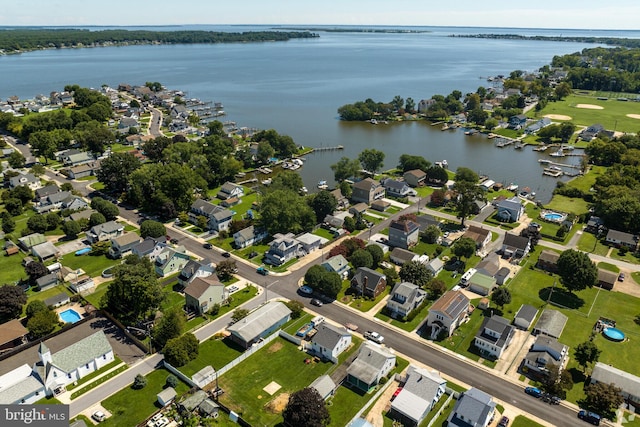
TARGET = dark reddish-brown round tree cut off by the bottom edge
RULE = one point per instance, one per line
(306, 407)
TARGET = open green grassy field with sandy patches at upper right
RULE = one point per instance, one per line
(612, 116)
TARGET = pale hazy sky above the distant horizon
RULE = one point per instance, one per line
(582, 14)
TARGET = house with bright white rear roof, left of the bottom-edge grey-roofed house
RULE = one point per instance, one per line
(420, 392)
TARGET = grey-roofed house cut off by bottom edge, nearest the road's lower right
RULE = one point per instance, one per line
(474, 408)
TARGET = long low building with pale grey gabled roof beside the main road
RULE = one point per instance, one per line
(259, 323)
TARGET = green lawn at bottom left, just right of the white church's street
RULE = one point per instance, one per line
(128, 407)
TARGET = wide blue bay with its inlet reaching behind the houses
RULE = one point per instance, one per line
(296, 87)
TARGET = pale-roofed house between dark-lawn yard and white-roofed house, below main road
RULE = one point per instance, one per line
(371, 364)
